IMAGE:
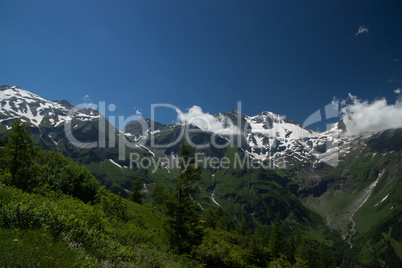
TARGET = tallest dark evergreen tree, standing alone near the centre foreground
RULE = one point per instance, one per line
(186, 218)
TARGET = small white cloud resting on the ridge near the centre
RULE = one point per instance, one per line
(207, 122)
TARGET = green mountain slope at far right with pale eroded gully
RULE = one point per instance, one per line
(364, 202)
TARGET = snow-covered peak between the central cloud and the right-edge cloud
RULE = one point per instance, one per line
(282, 141)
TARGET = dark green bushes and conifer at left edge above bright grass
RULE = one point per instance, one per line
(34, 170)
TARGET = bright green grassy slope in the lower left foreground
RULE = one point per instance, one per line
(64, 230)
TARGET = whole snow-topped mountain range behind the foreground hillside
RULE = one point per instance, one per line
(340, 189)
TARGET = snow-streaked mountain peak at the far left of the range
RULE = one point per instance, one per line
(48, 121)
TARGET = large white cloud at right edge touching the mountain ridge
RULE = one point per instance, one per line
(363, 116)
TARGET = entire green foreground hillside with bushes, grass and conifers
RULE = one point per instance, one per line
(54, 212)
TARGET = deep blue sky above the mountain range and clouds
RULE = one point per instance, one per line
(288, 57)
